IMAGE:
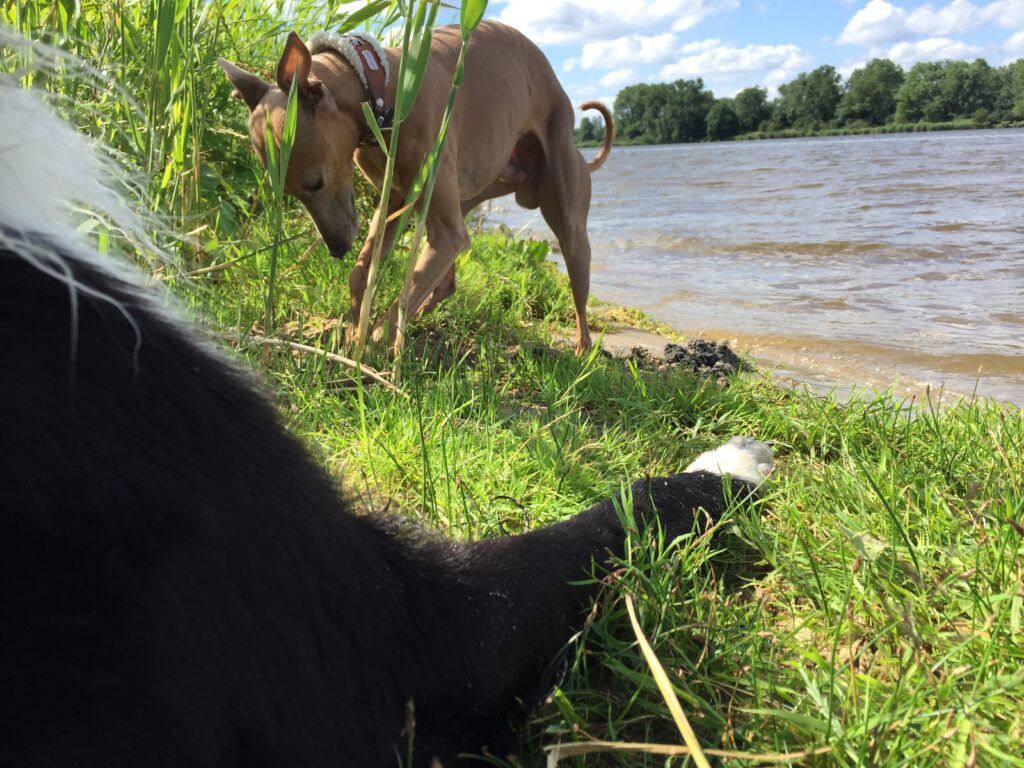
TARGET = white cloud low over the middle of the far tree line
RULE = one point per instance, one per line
(727, 61)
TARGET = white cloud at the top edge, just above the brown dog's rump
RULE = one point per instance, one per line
(550, 22)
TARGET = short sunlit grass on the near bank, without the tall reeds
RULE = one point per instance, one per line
(872, 605)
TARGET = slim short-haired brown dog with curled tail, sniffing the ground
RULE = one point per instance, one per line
(511, 133)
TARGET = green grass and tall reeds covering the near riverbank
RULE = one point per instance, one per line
(871, 605)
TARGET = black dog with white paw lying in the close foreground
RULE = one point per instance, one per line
(182, 585)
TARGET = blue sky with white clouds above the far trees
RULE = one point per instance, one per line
(600, 47)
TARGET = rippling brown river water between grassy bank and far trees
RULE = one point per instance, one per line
(859, 262)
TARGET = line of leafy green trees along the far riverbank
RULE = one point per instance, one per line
(880, 94)
